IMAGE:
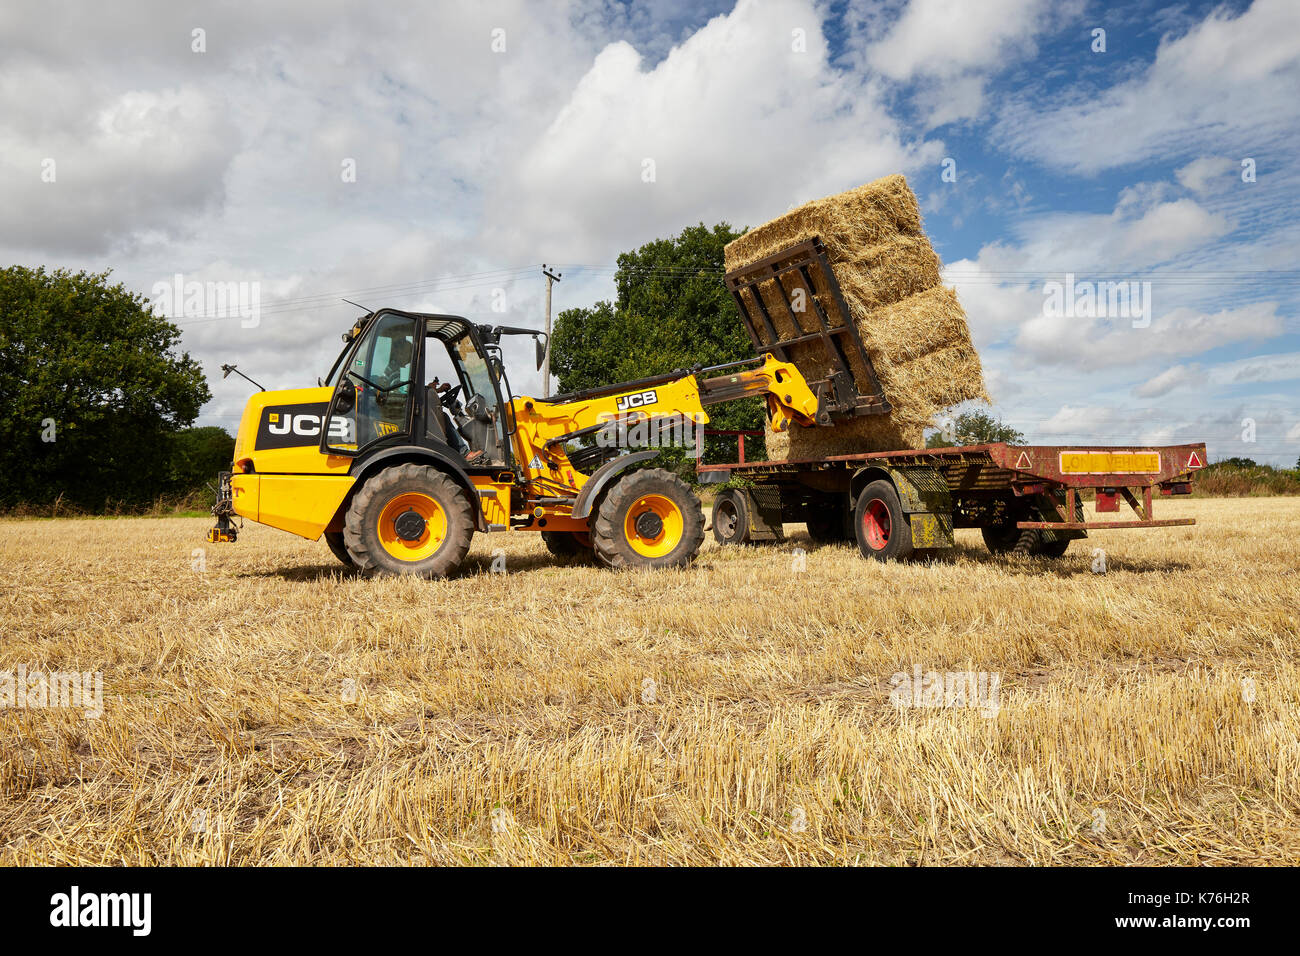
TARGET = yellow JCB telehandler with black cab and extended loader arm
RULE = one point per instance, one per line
(415, 442)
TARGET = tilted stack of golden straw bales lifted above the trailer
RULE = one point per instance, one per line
(911, 325)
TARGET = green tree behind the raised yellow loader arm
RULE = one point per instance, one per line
(671, 312)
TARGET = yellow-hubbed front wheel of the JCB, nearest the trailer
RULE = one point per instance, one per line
(649, 518)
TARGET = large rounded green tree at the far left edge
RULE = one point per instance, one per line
(92, 391)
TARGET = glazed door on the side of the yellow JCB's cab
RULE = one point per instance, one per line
(374, 399)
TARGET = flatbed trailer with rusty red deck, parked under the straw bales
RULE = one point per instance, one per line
(1025, 499)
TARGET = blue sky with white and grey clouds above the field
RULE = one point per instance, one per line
(491, 137)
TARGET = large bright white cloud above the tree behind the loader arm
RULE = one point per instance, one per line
(736, 124)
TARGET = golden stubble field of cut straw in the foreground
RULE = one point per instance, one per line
(310, 716)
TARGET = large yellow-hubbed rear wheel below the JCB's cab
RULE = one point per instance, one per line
(434, 556)
